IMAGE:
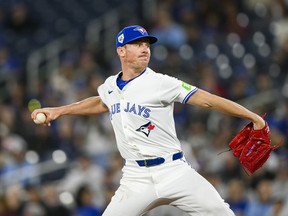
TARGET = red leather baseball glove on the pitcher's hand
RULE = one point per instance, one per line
(252, 147)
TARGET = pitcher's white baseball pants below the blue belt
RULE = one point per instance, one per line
(172, 183)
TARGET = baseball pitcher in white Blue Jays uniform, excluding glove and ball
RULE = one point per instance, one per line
(140, 104)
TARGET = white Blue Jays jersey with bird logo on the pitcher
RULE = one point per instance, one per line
(142, 113)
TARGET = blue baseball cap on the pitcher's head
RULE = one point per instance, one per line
(132, 33)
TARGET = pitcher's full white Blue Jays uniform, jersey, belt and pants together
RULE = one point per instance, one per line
(155, 171)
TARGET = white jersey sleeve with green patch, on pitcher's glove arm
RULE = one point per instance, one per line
(175, 90)
